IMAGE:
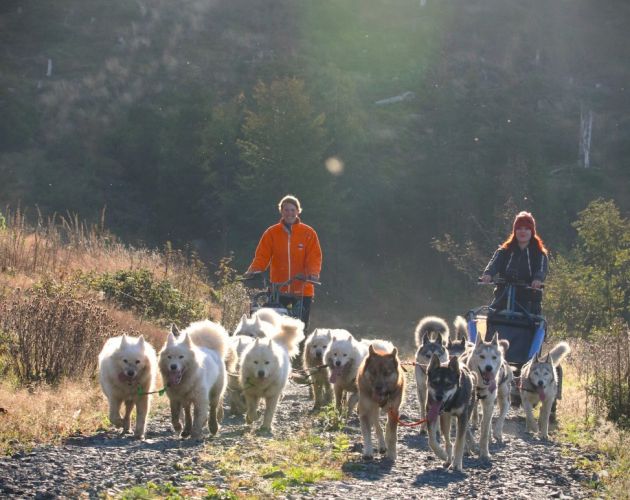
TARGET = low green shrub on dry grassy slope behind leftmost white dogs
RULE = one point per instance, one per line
(139, 290)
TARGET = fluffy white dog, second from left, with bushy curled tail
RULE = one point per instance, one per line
(192, 364)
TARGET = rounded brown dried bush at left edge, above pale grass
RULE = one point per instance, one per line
(48, 333)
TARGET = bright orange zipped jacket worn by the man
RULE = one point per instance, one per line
(290, 252)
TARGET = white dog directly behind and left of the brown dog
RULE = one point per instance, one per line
(343, 357)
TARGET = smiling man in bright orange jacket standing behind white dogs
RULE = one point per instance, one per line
(291, 248)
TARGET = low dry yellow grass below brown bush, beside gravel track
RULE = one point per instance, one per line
(47, 415)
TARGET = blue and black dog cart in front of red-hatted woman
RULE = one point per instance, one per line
(525, 331)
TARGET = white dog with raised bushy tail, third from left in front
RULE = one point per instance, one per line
(265, 369)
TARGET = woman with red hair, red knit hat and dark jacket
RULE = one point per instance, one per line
(521, 258)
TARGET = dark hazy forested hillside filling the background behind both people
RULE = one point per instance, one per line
(412, 131)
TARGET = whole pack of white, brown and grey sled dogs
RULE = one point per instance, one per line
(454, 377)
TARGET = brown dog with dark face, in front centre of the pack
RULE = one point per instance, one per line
(381, 385)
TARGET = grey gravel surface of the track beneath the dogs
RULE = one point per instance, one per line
(108, 463)
